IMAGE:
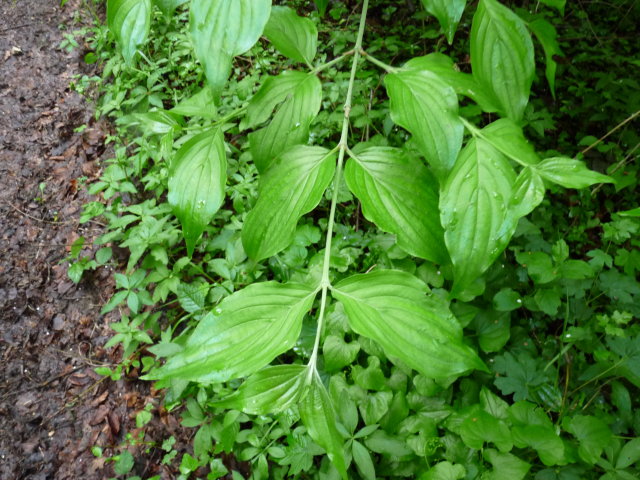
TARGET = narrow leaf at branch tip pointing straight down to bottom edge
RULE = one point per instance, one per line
(319, 416)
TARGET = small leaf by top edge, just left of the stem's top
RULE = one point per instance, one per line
(295, 37)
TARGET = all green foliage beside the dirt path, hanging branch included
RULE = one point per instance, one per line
(357, 239)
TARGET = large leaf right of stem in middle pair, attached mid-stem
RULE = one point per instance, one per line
(399, 194)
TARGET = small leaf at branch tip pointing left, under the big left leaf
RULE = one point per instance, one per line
(271, 390)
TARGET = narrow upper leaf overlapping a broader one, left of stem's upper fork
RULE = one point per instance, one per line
(272, 92)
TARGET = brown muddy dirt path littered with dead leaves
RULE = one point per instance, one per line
(53, 406)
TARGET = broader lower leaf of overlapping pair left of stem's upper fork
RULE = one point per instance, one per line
(290, 125)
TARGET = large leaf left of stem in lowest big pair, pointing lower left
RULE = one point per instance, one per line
(249, 329)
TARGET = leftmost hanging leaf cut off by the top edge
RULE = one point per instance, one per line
(129, 21)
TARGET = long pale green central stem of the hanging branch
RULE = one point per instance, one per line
(325, 282)
